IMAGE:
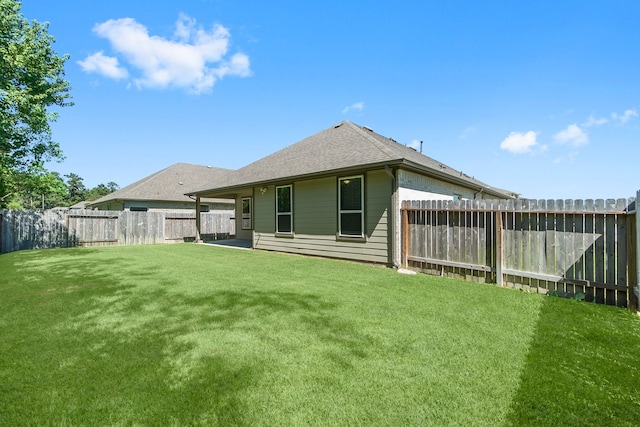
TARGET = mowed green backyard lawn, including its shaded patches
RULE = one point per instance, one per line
(195, 335)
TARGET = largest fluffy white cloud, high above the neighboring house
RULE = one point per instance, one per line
(194, 60)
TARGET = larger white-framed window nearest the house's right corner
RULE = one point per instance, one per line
(351, 206)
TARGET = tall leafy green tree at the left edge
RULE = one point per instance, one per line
(31, 82)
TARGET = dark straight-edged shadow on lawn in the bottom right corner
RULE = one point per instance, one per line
(592, 378)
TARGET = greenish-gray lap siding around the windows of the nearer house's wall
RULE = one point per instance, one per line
(315, 218)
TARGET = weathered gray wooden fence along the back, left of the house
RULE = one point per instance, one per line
(40, 229)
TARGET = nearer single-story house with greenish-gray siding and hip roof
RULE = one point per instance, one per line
(338, 193)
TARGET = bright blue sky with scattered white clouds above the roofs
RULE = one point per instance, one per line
(541, 98)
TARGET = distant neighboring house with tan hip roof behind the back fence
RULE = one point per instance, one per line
(165, 191)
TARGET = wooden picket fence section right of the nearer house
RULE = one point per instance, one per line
(570, 247)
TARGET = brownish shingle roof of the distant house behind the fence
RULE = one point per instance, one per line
(169, 184)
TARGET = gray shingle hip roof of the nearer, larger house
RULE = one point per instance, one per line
(340, 148)
